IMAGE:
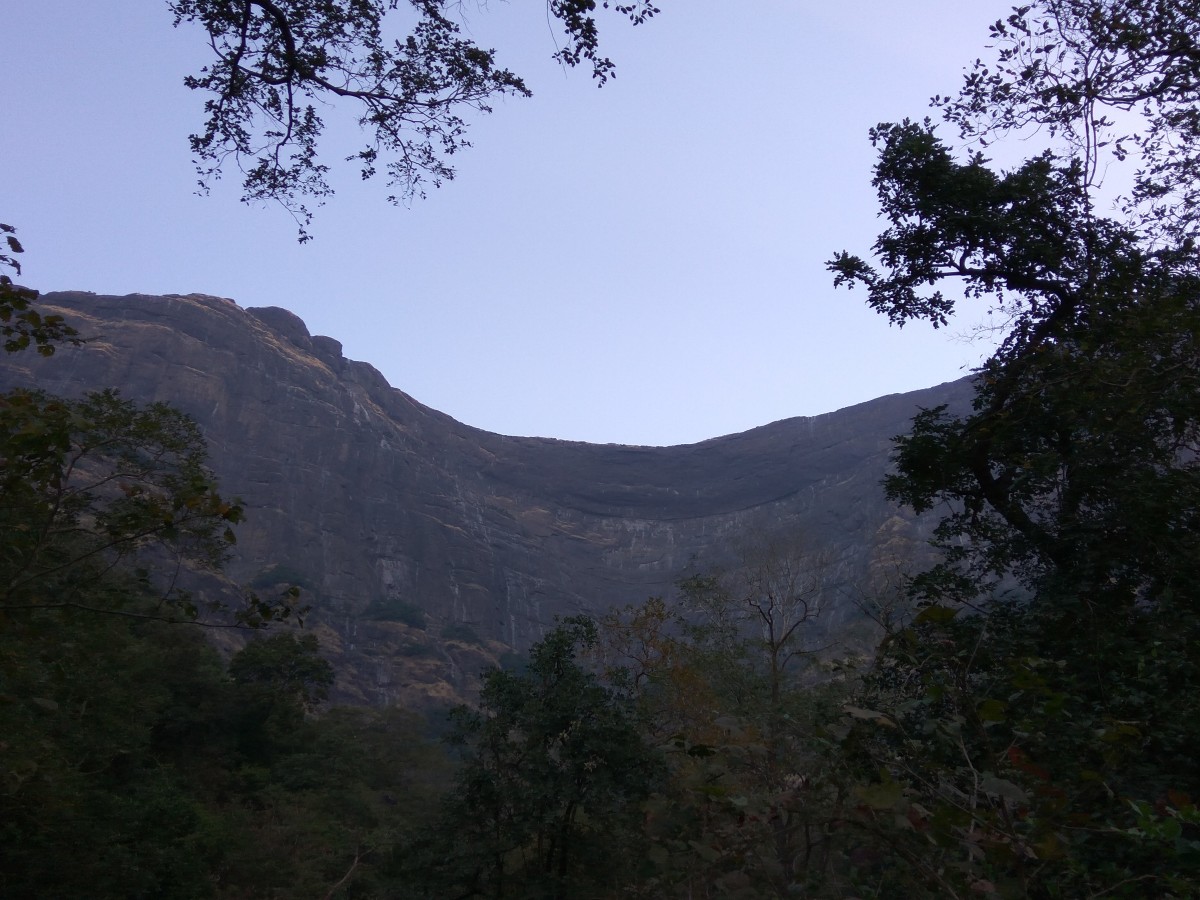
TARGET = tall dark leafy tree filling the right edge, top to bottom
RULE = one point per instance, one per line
(1040, 741)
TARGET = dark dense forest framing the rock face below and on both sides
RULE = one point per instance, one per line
(1025, 729)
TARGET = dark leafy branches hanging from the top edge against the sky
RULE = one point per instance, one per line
(278, 59)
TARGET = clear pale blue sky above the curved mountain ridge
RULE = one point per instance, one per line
(639, 265)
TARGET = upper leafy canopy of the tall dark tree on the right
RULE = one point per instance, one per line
(1085, 422)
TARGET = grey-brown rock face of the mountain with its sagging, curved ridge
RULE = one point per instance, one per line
(386, 509)
